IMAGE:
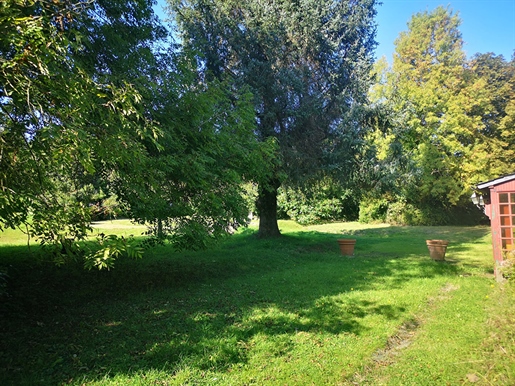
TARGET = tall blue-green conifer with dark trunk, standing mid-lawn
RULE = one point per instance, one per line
(307, 65)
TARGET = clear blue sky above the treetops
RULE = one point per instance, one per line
(487, 25)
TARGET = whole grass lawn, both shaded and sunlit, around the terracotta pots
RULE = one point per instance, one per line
(288, 311)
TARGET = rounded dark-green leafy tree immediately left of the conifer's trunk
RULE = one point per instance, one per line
(193, 186)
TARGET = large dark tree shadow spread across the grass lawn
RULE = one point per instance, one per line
(202, 310)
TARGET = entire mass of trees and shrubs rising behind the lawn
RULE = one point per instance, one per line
(102, 110)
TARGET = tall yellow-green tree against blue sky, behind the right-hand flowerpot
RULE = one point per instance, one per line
(434, 128)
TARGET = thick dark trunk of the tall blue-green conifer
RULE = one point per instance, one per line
(267, 209)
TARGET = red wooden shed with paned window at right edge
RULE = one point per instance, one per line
(498, 198)
